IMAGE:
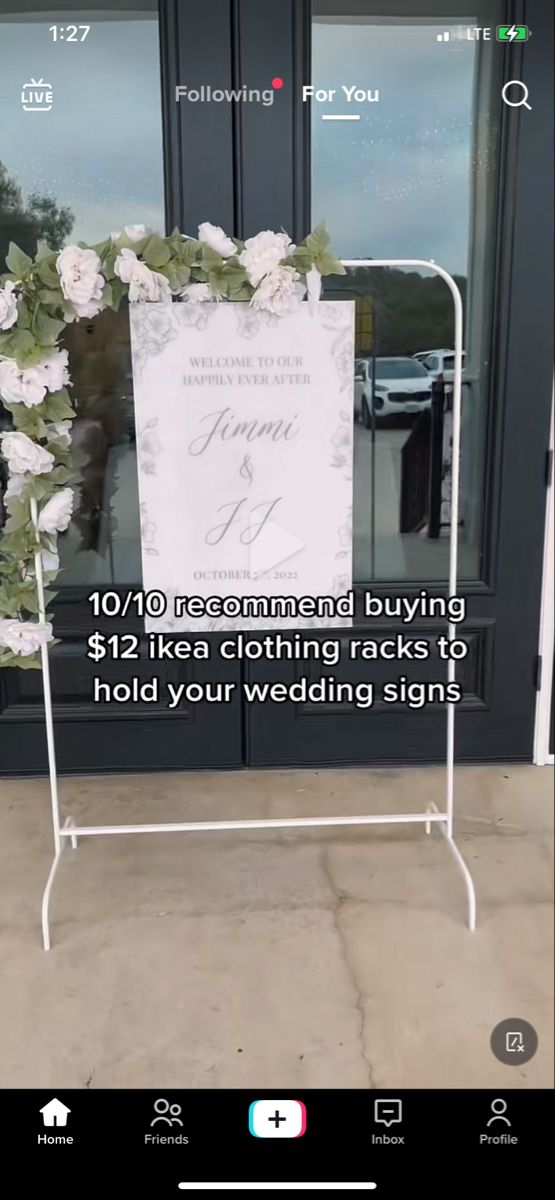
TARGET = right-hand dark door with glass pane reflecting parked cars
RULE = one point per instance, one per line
(415, 155)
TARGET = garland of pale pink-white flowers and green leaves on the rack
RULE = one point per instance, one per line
(39, 297)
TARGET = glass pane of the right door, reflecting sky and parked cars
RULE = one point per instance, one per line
(414, 177)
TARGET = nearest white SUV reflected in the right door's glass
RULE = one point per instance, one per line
(402, 387)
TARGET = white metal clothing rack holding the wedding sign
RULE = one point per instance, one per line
(68, 831)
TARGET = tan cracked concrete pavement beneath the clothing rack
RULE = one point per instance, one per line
(332, 958)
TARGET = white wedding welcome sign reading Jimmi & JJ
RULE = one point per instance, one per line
(244, 449)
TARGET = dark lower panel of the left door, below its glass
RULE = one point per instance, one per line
(126, 737)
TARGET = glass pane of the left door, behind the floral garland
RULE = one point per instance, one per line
(86, 169)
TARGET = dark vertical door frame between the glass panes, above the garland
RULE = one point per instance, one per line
(242, 166)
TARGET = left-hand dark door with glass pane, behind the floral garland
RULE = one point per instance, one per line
(91, 165)
